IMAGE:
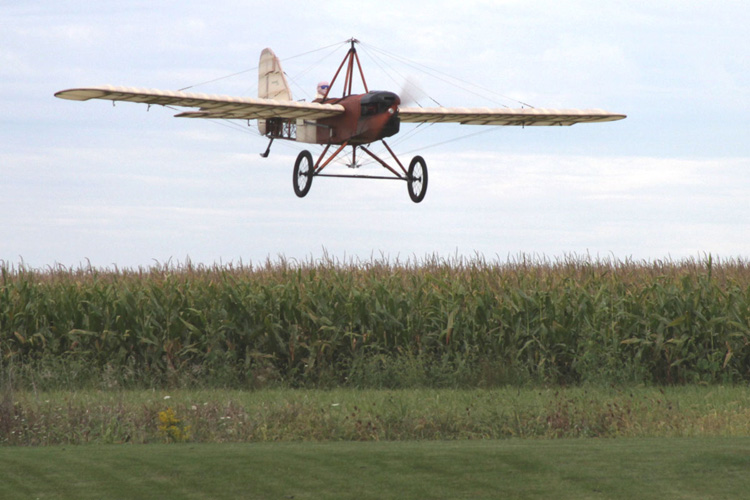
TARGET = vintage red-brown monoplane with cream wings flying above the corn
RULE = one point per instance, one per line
(354, 120)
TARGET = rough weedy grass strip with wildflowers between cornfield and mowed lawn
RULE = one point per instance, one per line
(225, 416)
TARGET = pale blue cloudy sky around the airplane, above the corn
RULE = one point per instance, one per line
(89, 183)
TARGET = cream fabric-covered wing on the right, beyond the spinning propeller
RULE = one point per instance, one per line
(507, 116)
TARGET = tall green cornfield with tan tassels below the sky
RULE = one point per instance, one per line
(429, 323)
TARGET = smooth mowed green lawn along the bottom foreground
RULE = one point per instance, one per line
(573, 468)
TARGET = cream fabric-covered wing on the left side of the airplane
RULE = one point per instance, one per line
(210, 106)
